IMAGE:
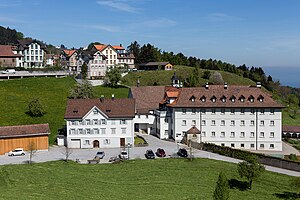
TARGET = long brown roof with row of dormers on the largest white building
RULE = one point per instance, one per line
(219, 92)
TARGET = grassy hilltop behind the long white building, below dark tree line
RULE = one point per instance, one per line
(183, 72)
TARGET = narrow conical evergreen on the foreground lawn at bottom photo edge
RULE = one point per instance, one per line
(222, 188)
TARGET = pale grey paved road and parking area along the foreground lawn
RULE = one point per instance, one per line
(57, 153)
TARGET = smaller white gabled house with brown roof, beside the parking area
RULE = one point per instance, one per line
(99, 123)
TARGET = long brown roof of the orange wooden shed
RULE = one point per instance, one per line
(24, 130)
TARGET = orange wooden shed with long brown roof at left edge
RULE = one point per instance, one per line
(22, 136)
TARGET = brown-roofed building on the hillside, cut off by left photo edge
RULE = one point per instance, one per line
(8, 57)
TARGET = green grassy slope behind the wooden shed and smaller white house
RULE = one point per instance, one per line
(52, 92)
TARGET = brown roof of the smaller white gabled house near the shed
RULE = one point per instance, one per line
(113, 108)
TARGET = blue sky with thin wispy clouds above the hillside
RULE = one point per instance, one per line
(254, 32)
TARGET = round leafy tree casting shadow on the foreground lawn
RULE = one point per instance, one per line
(250, 169)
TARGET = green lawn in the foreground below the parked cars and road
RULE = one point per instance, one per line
(138, 179)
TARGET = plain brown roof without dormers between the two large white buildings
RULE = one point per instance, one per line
(147, 97)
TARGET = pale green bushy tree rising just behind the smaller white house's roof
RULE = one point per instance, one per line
(82, 90)
